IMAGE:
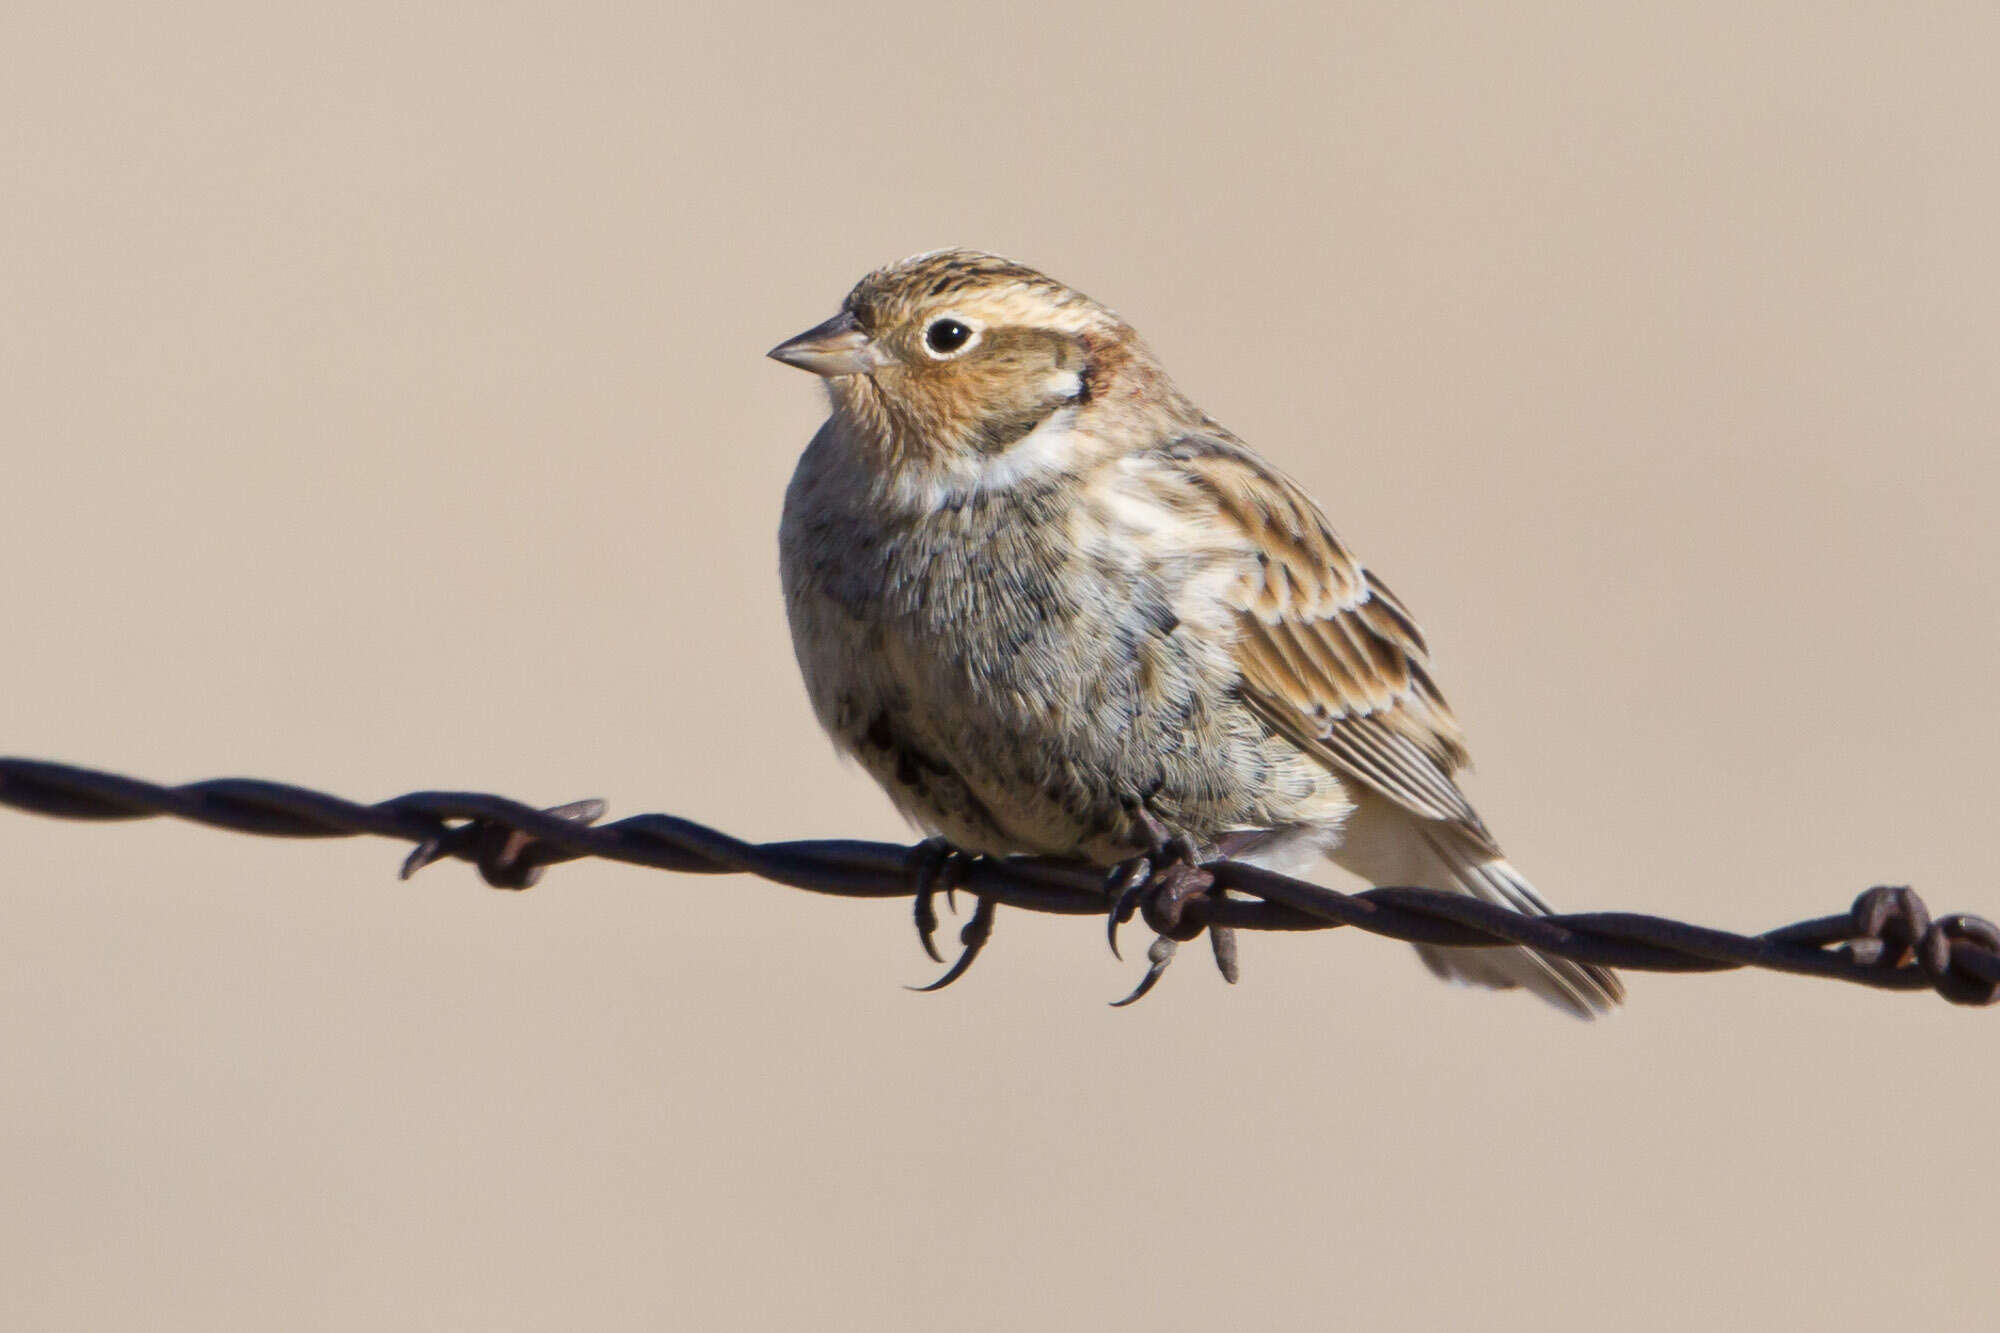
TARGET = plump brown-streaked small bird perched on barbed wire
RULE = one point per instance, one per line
(1057, 609)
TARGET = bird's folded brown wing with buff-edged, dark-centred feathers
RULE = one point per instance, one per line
(1327, 653)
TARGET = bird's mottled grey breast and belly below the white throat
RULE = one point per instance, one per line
(1019, 676)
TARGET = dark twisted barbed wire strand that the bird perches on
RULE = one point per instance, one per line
(1889, 940)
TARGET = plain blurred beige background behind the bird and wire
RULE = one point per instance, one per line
(385, 407)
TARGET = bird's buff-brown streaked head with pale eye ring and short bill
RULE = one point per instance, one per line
(951, 359)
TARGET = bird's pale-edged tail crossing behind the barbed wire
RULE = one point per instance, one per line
(1389, 846)
